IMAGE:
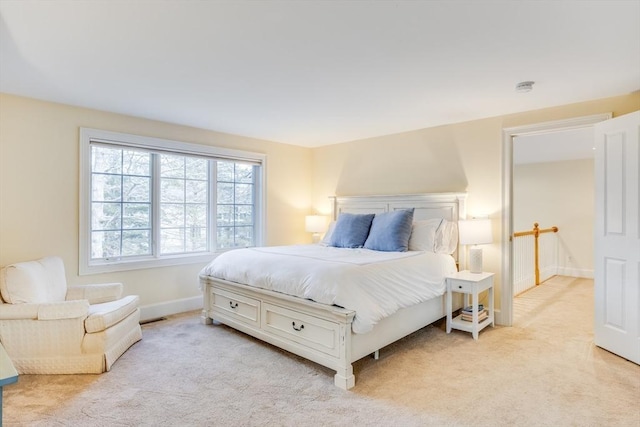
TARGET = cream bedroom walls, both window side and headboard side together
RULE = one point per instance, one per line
(39, 161)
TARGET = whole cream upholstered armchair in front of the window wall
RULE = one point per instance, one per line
(49, 328)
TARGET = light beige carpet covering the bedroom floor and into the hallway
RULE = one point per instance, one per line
(544, 371)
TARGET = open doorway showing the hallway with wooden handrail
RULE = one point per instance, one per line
(553, 176)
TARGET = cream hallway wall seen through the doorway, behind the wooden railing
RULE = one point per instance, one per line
(559, 194)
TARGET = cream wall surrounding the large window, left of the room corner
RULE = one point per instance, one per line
(39, 170)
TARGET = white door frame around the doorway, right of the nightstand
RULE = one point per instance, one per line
(505, 315)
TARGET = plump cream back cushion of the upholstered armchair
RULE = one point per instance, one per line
(34, 281)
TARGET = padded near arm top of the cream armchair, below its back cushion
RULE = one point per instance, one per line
(46, 311)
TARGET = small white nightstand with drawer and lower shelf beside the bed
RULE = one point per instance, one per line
(468, 284)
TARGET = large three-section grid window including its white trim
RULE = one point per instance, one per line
(149, 202)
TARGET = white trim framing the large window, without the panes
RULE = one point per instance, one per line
(87, 135)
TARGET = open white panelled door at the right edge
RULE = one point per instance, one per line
(617, 236)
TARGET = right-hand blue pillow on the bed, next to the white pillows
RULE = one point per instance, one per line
(390, 231)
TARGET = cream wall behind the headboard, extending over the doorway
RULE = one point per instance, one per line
(458, 157)
